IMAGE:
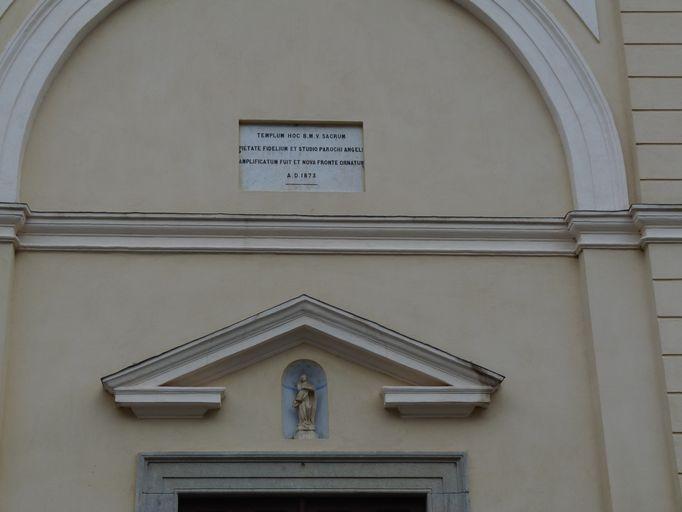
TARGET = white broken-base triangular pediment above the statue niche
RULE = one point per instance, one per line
(170, 385)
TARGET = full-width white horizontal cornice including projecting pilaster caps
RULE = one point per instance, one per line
(310, 234)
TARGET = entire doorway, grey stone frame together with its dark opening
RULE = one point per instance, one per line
(301, 481)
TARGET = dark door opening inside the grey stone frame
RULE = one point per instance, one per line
(289, 503)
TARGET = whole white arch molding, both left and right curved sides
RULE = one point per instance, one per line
(580, 110)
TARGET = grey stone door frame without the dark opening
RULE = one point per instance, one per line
(440, 477)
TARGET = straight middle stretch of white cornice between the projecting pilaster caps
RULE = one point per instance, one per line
(292, 234)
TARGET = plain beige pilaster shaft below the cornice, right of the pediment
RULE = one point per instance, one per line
(628, 378)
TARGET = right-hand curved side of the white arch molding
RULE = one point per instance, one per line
(580, 110)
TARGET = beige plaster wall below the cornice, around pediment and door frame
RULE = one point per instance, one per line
(78, 317)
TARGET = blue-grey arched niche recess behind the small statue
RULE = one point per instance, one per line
(317, 378)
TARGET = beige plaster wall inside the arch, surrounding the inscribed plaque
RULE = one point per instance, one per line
(144, 116)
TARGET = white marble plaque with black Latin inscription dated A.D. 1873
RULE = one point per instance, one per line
(301, 157)
